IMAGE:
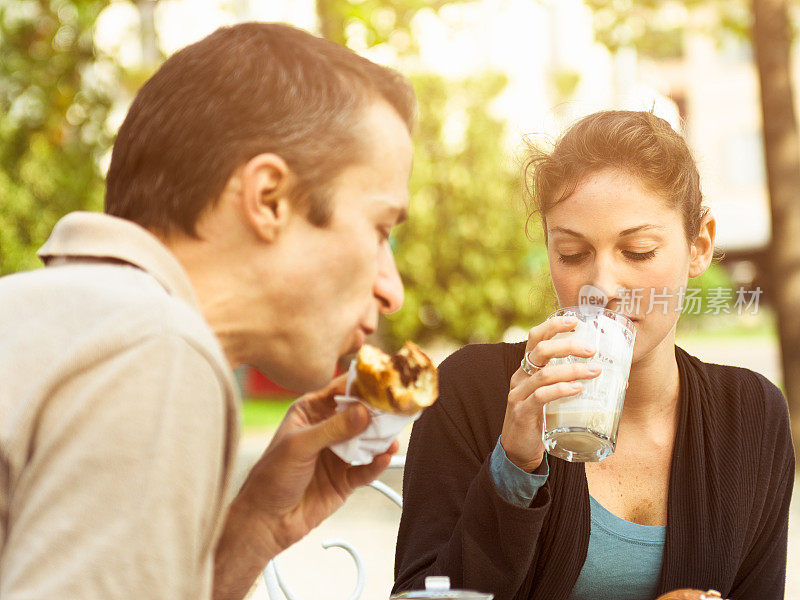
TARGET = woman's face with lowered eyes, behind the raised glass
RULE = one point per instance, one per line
(615, 234)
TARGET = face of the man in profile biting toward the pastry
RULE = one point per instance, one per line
(336, 280)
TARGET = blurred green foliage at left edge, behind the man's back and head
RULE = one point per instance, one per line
(54, 101)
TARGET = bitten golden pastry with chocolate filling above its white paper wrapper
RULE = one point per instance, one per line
(403, 383)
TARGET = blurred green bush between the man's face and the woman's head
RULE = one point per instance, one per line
(464, 257)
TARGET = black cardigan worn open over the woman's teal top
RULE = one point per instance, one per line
(727, 512)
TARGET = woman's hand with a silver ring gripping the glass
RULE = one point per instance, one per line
(521, 437)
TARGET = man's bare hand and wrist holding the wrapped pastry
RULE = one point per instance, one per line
(294, 486)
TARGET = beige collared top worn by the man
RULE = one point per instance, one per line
(118, 422)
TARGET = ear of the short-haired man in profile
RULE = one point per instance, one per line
(266, 185)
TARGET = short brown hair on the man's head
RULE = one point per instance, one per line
(244, 90)
